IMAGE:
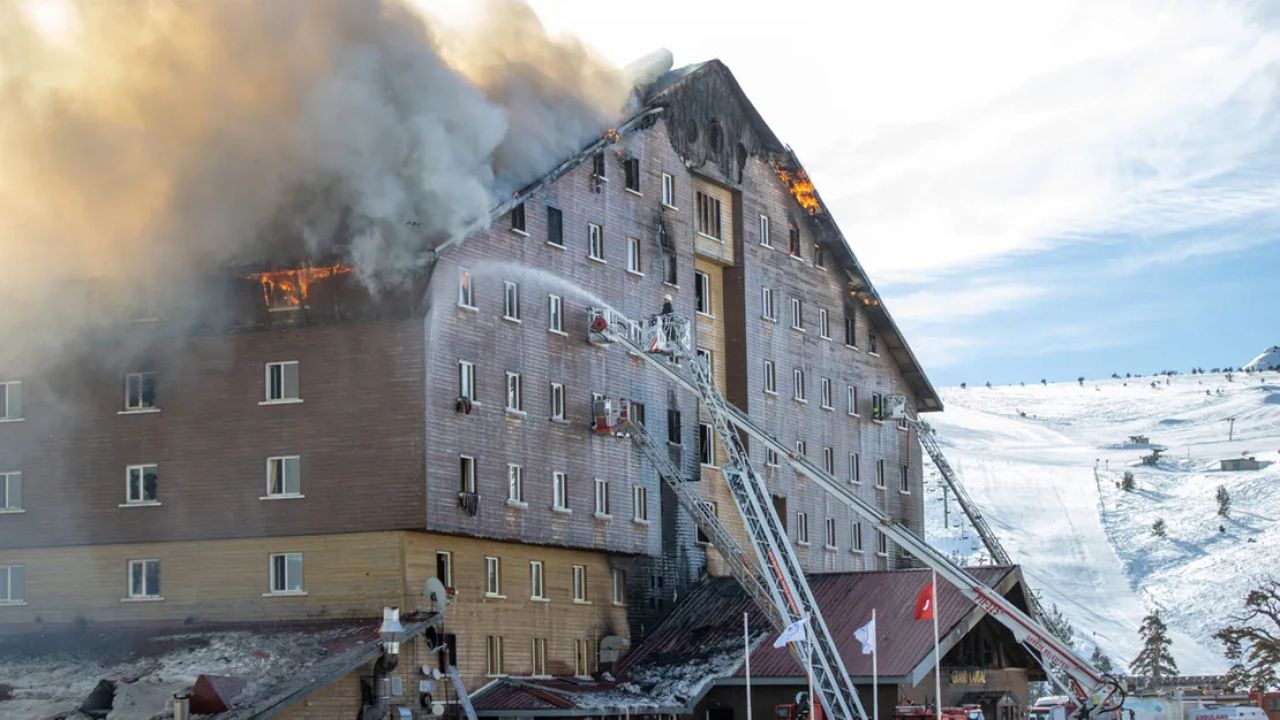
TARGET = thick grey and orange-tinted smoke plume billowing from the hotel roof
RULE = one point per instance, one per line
(152, 140)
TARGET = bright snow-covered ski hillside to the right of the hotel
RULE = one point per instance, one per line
(1045, 466)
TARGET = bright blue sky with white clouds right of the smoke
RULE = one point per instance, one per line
(1043, 189)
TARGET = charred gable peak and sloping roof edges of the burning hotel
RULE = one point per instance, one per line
(706, 108)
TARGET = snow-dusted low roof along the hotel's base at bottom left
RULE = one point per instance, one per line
(53, 669)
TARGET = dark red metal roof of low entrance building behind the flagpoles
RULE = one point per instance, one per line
(701, 645)
